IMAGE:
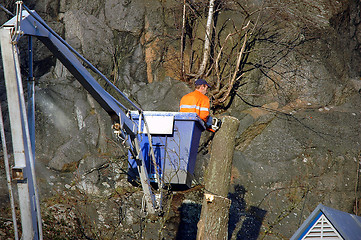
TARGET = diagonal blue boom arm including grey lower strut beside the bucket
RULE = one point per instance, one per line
(30, 23)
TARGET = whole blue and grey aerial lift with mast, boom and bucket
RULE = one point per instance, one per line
(162, 145)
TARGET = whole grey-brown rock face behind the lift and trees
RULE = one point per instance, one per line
(297, 144)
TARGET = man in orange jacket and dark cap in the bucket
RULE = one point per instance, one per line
(198, 102)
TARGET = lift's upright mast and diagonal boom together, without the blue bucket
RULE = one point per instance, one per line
(28, 23)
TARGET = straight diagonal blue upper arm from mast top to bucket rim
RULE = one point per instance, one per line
(31, 24)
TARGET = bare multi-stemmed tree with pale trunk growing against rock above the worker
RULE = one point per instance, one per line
(236, 41)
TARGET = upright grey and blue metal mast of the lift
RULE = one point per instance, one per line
(23, 155)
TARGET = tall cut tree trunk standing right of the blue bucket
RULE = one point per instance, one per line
(213, 223)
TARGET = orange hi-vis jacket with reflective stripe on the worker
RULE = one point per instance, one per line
(195, 102)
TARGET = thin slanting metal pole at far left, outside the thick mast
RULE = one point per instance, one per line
(7, 169)
